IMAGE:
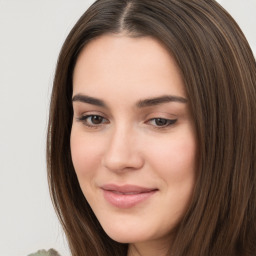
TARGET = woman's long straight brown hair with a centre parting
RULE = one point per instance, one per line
(219, 74)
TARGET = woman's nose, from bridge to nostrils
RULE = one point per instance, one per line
(122, 152)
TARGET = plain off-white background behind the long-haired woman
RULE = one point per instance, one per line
(31, 34)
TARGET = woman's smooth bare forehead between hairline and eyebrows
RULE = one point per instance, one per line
(125, 65)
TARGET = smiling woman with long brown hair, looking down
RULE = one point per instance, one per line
(152, 130)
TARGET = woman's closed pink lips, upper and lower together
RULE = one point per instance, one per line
(126, 196)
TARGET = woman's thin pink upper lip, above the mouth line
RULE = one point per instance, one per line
(126, 188)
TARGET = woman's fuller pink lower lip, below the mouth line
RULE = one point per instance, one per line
(126, 200)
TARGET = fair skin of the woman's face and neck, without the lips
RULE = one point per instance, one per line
(126, 144)
